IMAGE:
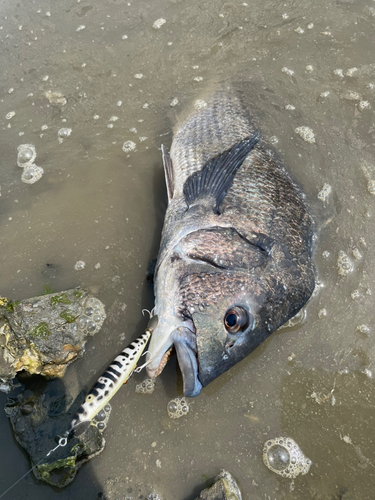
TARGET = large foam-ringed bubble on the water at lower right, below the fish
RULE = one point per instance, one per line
(284, 457)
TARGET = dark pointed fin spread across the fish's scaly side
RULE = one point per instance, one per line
(217, 176)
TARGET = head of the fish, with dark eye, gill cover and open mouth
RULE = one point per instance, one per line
(216, 308)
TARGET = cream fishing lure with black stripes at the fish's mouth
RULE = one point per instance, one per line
(111, 380)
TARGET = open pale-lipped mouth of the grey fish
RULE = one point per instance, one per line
(185, 343)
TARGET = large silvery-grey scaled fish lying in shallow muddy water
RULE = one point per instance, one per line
(236, 253)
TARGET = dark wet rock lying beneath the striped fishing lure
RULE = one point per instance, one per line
(36, 418)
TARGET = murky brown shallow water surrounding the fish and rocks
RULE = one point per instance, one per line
(297, 64)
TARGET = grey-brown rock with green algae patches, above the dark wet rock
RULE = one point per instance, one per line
(44, 334)
